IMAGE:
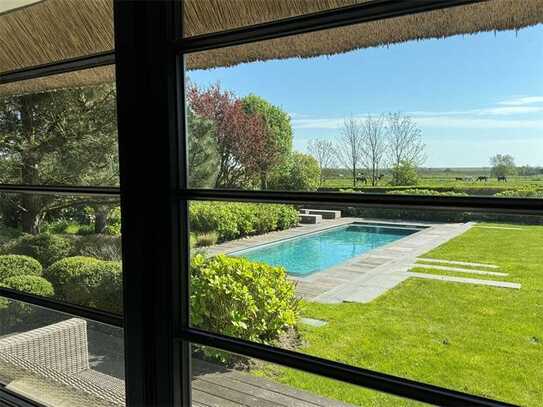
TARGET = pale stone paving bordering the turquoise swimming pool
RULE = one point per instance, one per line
(361, 278)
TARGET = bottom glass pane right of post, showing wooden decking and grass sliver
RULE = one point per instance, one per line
(240, 381)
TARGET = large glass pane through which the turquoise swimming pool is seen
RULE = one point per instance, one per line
(442, 297)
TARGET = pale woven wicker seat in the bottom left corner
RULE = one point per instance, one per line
(51, 365)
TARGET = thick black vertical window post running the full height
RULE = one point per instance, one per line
(147, 77)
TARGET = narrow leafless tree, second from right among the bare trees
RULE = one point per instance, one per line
(374, 145)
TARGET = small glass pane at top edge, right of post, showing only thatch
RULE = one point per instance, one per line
(211, 16)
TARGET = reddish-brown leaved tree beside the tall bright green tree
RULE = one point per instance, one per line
(240, 137)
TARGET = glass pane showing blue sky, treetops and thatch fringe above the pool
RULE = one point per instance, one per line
(463, 115)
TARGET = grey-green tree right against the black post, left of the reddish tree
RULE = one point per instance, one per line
(202, 151)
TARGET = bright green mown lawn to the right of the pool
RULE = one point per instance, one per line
(482, 340)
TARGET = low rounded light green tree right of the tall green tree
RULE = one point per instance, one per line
(300, 172)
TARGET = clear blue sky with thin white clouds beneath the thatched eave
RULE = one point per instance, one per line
(472, 96)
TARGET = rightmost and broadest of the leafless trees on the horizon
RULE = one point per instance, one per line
(404, 140)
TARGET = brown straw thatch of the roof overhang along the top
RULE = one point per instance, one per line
(52, 30)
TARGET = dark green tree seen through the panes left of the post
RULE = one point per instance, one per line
(63, 137)
